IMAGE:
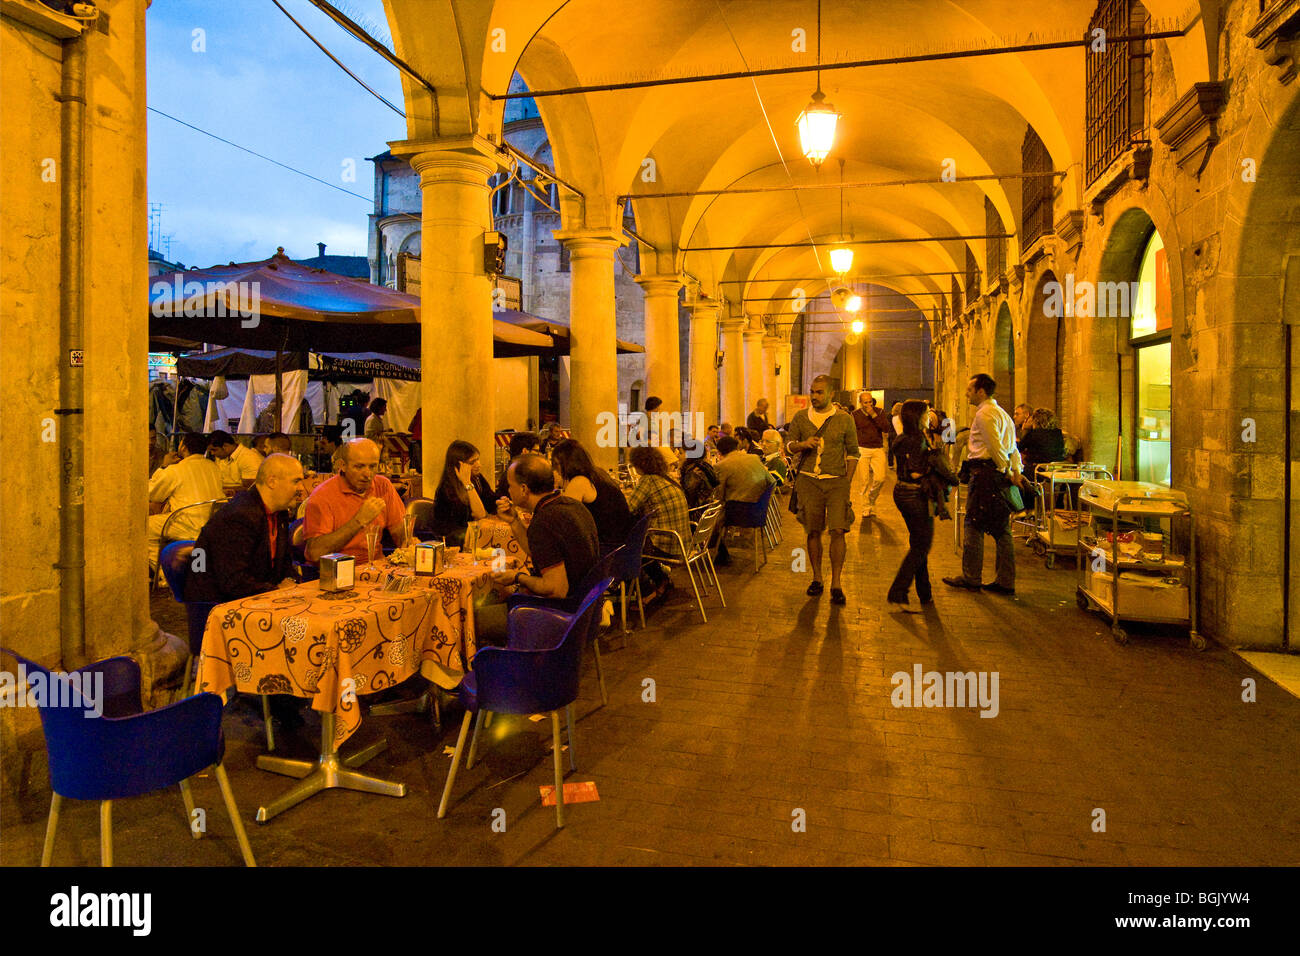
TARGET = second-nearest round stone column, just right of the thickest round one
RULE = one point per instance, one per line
(593, 338)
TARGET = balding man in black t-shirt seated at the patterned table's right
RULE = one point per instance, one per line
(561, 543)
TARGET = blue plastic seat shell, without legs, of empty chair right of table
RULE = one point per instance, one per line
(517, 681)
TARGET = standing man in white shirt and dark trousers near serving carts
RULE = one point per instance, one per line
(994, 460)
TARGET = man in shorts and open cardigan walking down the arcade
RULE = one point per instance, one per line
(825, 445)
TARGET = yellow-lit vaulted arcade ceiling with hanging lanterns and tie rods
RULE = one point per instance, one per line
(900, 122)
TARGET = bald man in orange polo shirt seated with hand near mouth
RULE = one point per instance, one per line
(341, 509)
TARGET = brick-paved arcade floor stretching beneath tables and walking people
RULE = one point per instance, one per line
(779, 711)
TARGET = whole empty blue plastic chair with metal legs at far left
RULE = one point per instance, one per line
(128, 752)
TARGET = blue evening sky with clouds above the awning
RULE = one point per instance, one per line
(263, 85)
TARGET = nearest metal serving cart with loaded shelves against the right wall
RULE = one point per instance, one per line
(1139, 563)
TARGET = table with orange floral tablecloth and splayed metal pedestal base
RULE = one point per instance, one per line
(331, 648)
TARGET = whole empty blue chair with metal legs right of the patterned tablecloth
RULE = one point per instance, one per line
(536, 673)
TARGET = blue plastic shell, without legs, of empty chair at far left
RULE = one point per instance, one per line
(102, 747)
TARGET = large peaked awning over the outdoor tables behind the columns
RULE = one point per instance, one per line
(280, 305)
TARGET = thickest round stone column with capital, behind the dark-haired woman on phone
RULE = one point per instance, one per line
(456, 295)
